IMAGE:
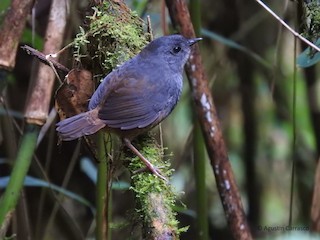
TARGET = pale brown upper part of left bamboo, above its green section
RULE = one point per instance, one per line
(37, 107)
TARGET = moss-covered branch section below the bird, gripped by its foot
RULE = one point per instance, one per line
(155, 198)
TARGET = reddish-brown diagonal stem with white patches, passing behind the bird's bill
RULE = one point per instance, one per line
(208, 118)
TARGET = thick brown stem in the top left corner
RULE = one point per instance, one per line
(11, 31)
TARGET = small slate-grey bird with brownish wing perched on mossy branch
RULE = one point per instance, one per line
(136, 96)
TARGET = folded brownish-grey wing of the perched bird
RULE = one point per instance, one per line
(132, 104)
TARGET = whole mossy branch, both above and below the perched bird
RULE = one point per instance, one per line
(115, 34)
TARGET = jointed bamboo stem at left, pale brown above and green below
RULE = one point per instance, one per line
(36, 112)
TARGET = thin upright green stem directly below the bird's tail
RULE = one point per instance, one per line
(102, 225)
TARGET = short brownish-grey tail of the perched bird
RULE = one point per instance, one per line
(86, 123)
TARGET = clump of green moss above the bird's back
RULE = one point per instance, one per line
(114, 34)
